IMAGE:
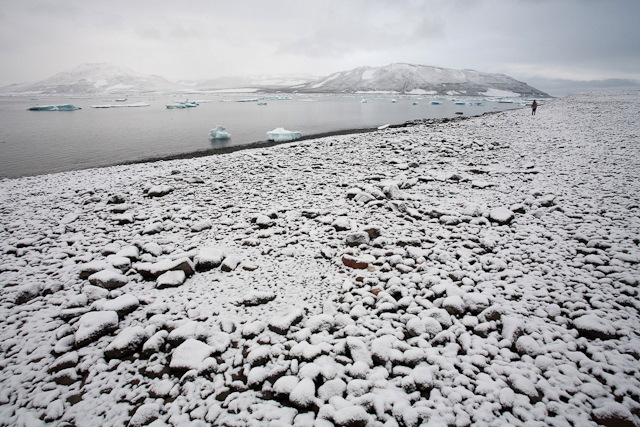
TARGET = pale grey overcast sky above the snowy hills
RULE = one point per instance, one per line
(541, 42)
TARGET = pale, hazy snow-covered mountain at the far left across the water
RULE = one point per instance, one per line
(96, 78)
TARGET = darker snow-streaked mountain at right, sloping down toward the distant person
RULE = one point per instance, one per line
(420, 79)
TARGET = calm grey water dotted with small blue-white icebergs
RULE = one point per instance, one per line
(41, 142)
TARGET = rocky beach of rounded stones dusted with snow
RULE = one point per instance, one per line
(476, 272)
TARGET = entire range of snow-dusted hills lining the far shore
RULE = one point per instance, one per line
(103, 78)
